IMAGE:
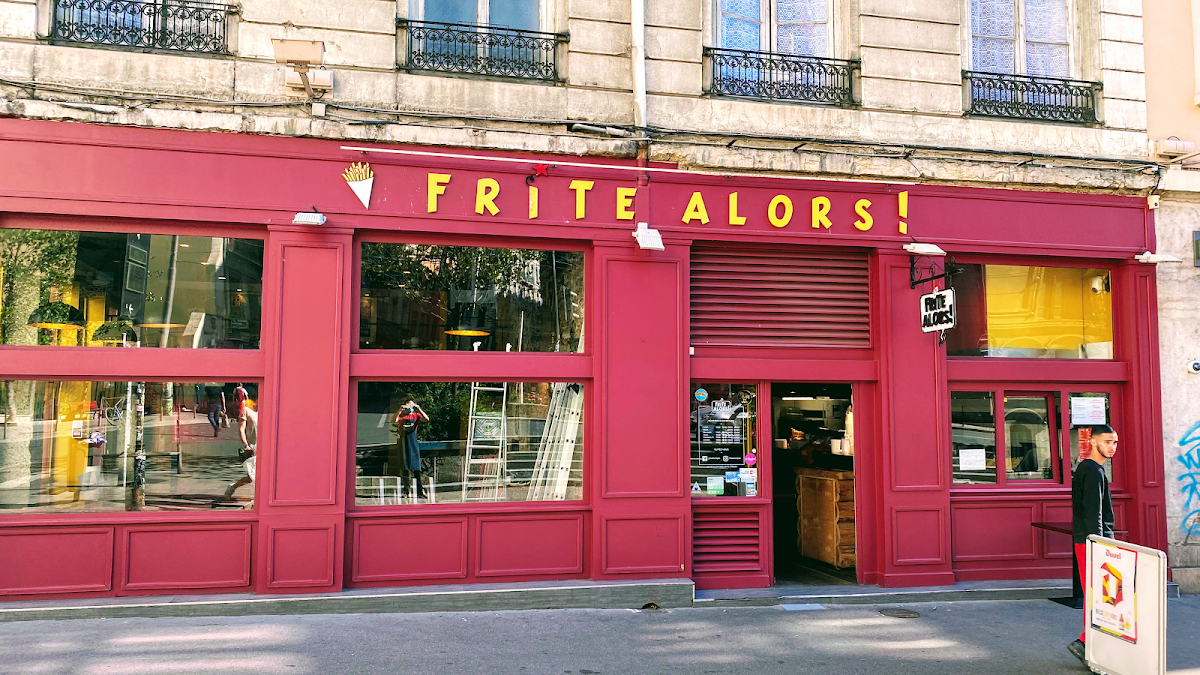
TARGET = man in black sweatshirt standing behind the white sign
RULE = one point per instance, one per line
(1091, 506)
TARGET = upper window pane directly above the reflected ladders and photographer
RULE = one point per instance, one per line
(419, 297)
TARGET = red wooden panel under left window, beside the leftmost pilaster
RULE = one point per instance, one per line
(179, 557)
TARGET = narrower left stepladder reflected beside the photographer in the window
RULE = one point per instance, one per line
(483, 470)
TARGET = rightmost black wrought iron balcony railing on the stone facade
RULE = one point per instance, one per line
(1022, 97)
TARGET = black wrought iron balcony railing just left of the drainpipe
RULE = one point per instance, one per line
(483, 50)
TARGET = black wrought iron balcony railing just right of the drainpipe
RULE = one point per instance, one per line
(782, 77)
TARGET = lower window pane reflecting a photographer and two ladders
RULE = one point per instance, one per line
(441, 443)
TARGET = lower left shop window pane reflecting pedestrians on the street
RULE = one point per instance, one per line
(71, 446)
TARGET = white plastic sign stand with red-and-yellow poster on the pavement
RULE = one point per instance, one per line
(1126, 608)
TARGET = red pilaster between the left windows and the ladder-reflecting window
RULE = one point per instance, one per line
(301, 488)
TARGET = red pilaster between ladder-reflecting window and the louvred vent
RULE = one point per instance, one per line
(641, 509)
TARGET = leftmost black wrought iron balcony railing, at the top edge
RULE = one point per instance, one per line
(181, 26)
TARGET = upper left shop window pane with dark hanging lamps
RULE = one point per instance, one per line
(105, 289)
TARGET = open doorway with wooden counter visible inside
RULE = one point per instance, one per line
(813, 482)
